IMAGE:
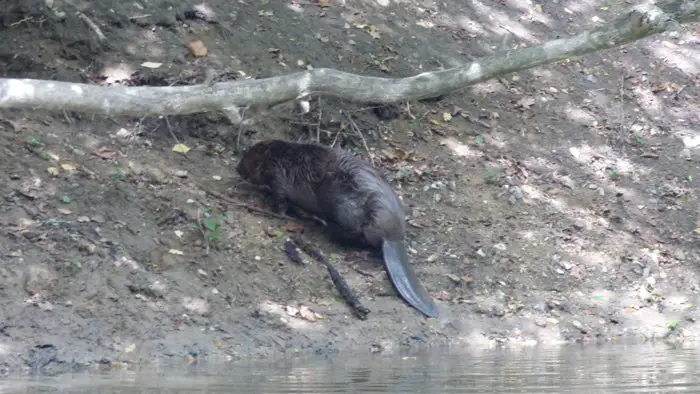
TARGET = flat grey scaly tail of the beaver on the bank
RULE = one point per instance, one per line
(405, 280)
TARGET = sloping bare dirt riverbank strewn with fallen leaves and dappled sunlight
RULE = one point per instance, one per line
(556, 205)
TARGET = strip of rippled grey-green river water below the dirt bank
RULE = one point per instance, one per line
(570, 369)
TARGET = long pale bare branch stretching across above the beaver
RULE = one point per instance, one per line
(639, 22)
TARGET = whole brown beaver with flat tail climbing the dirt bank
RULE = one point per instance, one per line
(354, 199)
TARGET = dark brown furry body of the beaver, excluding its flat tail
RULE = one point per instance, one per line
(329, 183)
